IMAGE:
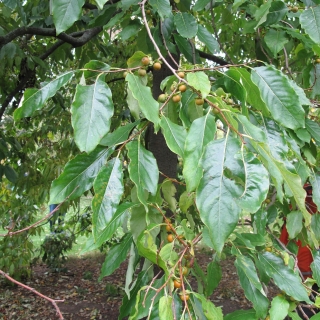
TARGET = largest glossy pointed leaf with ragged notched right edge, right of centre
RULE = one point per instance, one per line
(215, 195)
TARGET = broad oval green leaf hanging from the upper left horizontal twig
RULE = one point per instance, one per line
(91, 110)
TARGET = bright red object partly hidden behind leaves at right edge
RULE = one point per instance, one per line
(304, 255)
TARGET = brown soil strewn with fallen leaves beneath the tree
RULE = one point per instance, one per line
(88, 299)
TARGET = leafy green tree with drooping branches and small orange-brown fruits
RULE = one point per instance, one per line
(230, 119)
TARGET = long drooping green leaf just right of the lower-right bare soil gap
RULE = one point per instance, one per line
(251, 285)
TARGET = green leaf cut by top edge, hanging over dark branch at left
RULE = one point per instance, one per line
(65, 13)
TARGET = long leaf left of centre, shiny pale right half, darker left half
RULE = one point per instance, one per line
(108, 187)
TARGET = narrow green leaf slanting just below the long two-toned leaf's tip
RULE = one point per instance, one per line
(108, 230)
